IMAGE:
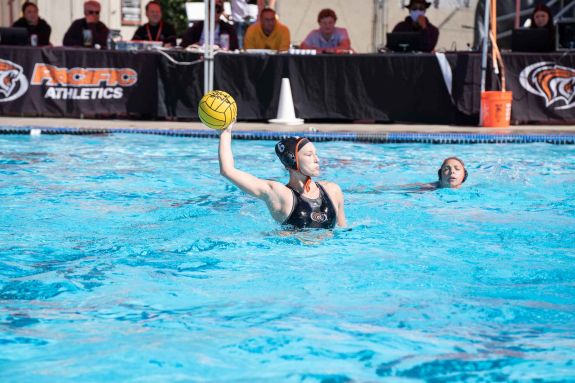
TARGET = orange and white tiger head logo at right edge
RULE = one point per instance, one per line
(555, 83)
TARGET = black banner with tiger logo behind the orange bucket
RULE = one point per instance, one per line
(543, 86)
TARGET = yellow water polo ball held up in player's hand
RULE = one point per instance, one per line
(217, 109)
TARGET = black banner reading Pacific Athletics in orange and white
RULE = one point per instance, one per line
(80, 82)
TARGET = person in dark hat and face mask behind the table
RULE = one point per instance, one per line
(417, 22)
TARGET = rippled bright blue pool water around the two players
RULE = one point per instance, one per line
(127, 258)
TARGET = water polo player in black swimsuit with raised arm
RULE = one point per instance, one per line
(301, 203)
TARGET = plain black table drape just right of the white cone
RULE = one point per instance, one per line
(383, 88)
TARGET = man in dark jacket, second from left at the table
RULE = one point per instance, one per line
(89, 31)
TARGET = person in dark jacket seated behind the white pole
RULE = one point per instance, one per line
(195, 34)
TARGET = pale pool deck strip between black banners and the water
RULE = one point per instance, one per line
(102, 125)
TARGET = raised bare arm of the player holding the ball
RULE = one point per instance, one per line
(250, 184)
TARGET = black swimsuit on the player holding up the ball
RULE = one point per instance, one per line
(312, 213)
